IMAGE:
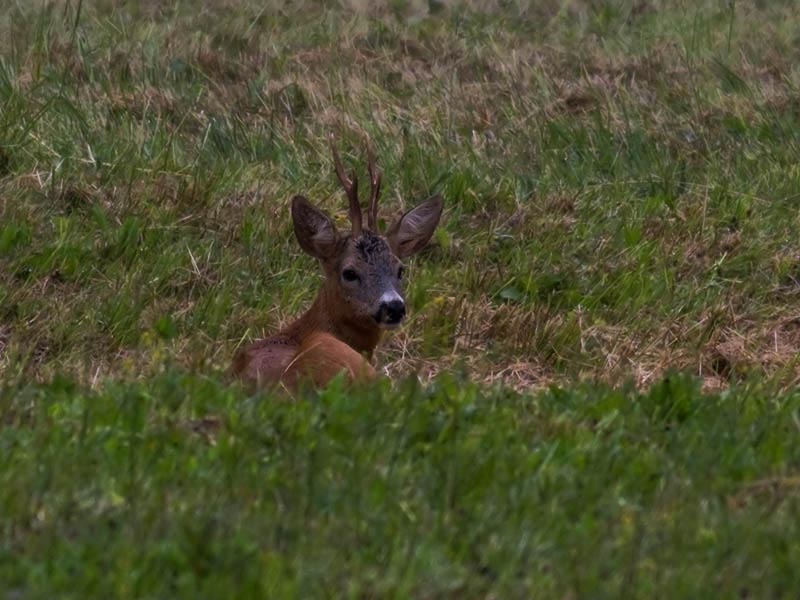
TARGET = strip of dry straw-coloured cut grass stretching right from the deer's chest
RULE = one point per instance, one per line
(515, 345)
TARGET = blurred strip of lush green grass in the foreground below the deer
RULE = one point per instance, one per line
(450, 490)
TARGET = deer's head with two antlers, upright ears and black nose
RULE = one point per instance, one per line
(363, 268)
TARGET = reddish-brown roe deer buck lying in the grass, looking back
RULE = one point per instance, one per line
(362, 293)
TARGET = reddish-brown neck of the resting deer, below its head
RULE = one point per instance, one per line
(327, 314)
